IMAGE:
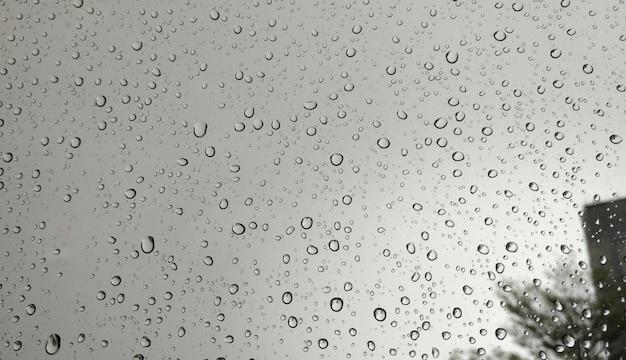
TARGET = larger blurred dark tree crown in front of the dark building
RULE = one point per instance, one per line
(564, 319)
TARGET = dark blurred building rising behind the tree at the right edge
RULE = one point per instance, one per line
(605, 229)
